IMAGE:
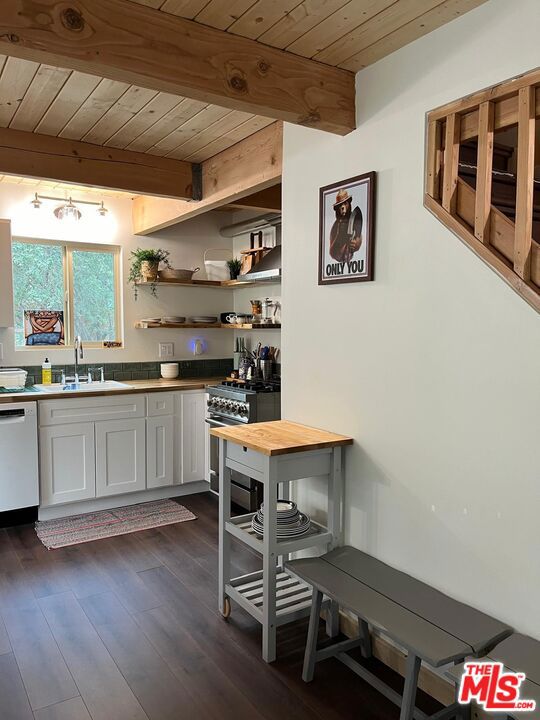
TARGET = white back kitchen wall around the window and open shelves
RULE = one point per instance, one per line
(186, 243)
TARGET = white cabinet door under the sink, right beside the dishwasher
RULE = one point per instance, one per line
(67, 463)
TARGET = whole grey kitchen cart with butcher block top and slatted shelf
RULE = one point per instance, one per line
(275, 454)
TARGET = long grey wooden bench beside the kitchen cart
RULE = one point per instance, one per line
(431, 626)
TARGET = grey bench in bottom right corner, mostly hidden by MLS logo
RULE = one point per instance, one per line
(518, 653)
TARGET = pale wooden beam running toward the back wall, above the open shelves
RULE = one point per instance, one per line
(248, 167)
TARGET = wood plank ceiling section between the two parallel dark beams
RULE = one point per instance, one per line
(77, 106)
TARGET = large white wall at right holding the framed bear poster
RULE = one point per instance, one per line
(434, 367)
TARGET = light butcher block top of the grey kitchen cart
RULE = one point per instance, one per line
(280, 437)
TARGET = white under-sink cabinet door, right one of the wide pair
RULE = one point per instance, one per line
(120, 456)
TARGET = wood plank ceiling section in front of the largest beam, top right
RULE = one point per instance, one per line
(349, 34)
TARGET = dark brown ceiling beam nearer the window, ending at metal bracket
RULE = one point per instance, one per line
(52, 158)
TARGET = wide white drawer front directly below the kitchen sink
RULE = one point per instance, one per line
(103, 407)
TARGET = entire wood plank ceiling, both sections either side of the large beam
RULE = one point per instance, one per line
(78, 106)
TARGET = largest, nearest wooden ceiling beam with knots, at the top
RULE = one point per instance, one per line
(134, 43)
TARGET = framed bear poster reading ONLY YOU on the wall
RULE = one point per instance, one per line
(346, 230)
